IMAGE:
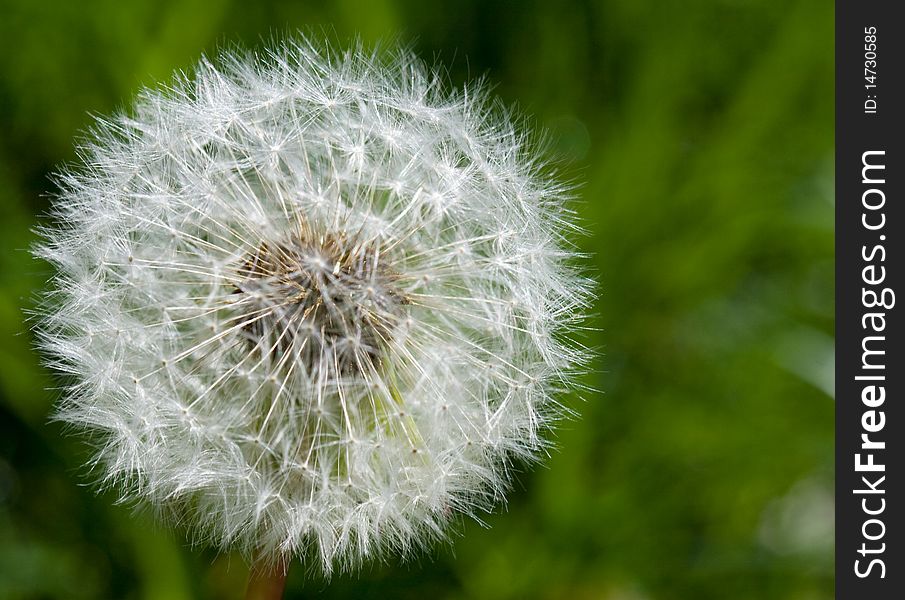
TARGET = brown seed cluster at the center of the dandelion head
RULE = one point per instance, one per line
(331, 302)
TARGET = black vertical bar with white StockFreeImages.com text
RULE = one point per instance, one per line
(870, 270)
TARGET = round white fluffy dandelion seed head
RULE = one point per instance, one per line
(311, 304)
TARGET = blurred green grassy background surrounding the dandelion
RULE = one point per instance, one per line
(702, 135)
